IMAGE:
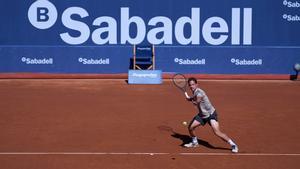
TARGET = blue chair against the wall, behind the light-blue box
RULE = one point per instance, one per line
(144, 57)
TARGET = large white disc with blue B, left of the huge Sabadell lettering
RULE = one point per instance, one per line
(42, 14)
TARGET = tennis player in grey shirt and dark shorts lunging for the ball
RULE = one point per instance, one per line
(207, 114)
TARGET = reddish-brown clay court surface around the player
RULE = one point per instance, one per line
(94, 123)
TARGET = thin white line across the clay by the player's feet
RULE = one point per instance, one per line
(132, 153)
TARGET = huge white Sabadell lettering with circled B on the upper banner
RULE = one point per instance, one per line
(215, 30)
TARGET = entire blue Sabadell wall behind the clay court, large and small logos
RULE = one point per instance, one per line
(96, 36)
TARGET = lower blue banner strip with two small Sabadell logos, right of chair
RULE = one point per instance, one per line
(228, 60)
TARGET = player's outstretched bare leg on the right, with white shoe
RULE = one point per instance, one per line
(216, 129)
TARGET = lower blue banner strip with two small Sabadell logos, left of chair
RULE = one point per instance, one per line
(65, 59)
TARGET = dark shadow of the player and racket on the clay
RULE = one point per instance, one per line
(187, 139)
